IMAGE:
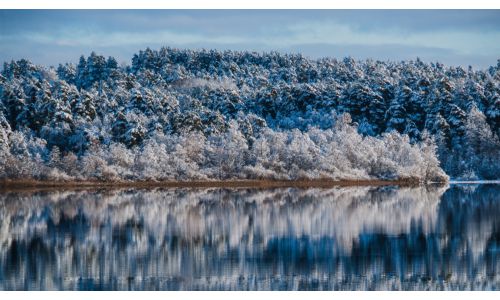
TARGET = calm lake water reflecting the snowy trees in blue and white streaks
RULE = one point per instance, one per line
(357, 238)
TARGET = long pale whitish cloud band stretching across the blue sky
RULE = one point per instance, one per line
(460, 42)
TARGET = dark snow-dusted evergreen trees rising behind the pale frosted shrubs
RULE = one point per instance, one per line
(177, 91)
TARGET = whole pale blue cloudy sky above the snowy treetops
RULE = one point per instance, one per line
(452, 37)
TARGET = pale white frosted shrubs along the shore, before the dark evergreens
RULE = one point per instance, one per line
(337, 153)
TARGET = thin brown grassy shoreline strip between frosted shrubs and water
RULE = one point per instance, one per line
(244, 183)
